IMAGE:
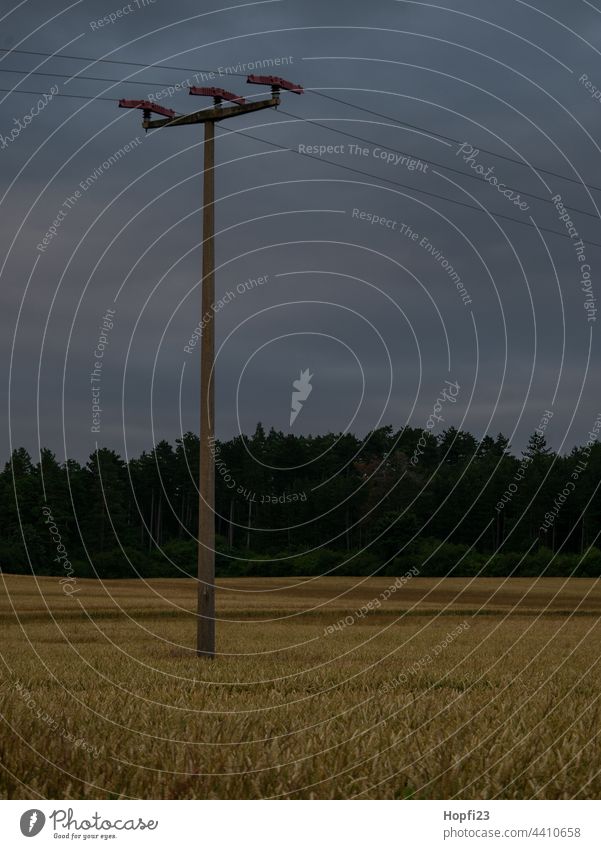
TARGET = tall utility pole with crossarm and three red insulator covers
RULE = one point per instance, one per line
(205, 625)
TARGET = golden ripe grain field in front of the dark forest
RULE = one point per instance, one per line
(452, 688)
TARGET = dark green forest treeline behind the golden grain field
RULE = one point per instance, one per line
(307, 505)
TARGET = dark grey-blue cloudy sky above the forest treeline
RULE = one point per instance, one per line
(370, 312)
